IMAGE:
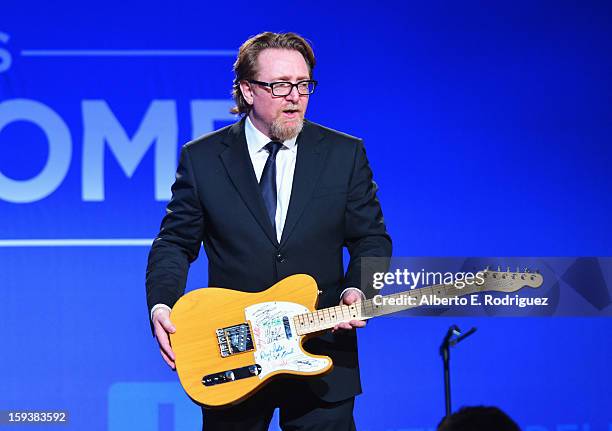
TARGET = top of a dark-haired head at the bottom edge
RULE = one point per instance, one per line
(478, 418)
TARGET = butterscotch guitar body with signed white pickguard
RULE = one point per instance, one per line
(228, 344)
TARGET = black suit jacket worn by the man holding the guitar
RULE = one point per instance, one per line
(216, 201)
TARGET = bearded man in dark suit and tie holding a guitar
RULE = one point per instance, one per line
(271, 196)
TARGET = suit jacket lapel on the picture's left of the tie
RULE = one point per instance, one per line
(238, 164)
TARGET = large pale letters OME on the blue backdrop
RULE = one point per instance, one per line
(103, 130)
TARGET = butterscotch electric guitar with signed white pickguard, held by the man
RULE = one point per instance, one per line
(228, 344)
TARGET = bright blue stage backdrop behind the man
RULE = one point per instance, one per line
(487, 126)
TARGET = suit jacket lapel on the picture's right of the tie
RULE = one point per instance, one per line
(310, 157)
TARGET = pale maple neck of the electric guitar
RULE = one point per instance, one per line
(327, 318)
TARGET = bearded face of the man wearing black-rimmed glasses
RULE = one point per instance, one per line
(278, 117)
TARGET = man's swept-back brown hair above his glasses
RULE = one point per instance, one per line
(245, 66)
